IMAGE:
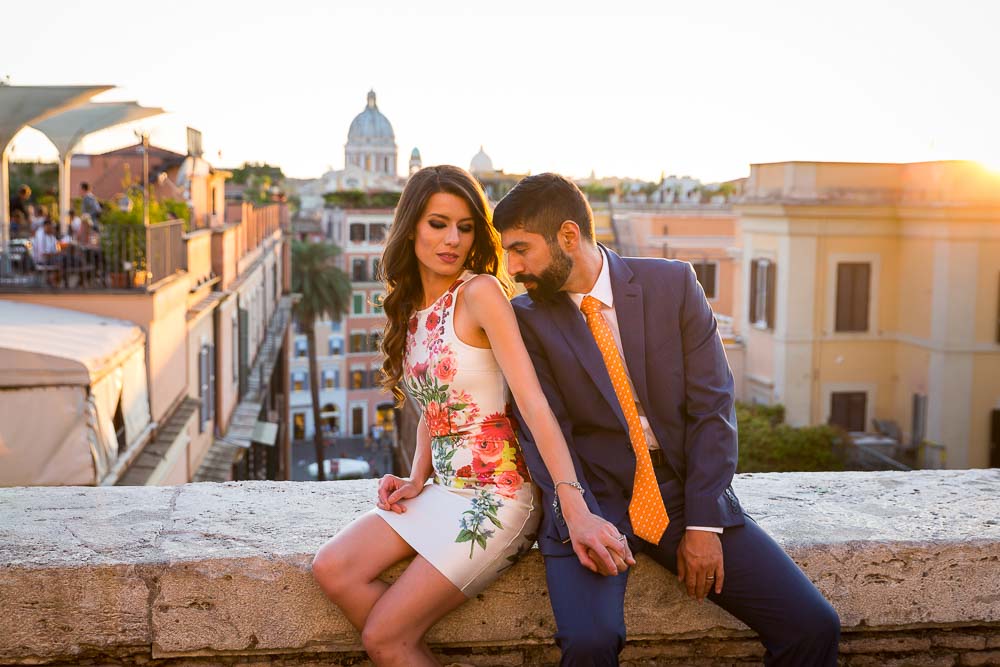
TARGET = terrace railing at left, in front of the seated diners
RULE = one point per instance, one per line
(120, 257)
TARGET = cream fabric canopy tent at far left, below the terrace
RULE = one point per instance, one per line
(66, 379)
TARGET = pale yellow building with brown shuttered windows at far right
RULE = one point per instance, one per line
(871, 292)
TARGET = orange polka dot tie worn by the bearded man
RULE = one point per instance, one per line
(646, 510)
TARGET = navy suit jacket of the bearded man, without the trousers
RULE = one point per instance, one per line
(679, 369)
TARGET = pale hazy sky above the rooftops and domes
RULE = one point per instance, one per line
(621, 88)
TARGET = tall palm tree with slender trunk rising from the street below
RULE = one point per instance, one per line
(326, 293)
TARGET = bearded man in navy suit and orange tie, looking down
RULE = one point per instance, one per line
(629, 356)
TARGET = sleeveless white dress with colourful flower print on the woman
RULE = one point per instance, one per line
(480, 511)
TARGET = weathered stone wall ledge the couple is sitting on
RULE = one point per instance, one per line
(211, 574)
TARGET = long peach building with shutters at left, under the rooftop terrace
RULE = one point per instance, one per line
(215, 315)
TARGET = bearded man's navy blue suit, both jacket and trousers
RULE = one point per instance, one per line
(682, 379)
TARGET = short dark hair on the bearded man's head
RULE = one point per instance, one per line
(541, 203)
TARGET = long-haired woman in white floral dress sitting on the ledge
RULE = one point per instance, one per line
(452, 341)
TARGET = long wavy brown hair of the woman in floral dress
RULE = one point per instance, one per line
(399, 269)
